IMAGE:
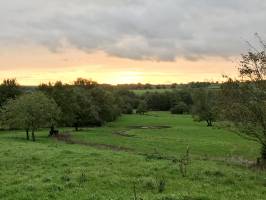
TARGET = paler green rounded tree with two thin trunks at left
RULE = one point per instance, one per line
(30, 112)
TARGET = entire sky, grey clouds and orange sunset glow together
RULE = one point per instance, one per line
(126, 41)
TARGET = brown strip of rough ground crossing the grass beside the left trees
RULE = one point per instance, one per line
(66, 137)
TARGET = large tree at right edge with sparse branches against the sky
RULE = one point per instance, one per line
(244, 100)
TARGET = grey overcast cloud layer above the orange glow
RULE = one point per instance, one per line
(155, 30)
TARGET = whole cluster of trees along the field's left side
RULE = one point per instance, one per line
(83, 103)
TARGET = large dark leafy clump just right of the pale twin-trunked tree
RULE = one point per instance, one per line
(90, 105)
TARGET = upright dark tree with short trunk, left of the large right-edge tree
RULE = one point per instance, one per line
(205, 106)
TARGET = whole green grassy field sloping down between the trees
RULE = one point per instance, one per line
(106, 163)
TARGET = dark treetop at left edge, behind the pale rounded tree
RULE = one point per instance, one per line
(9, 89)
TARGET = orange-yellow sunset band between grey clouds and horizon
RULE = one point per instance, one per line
(32, 66)
